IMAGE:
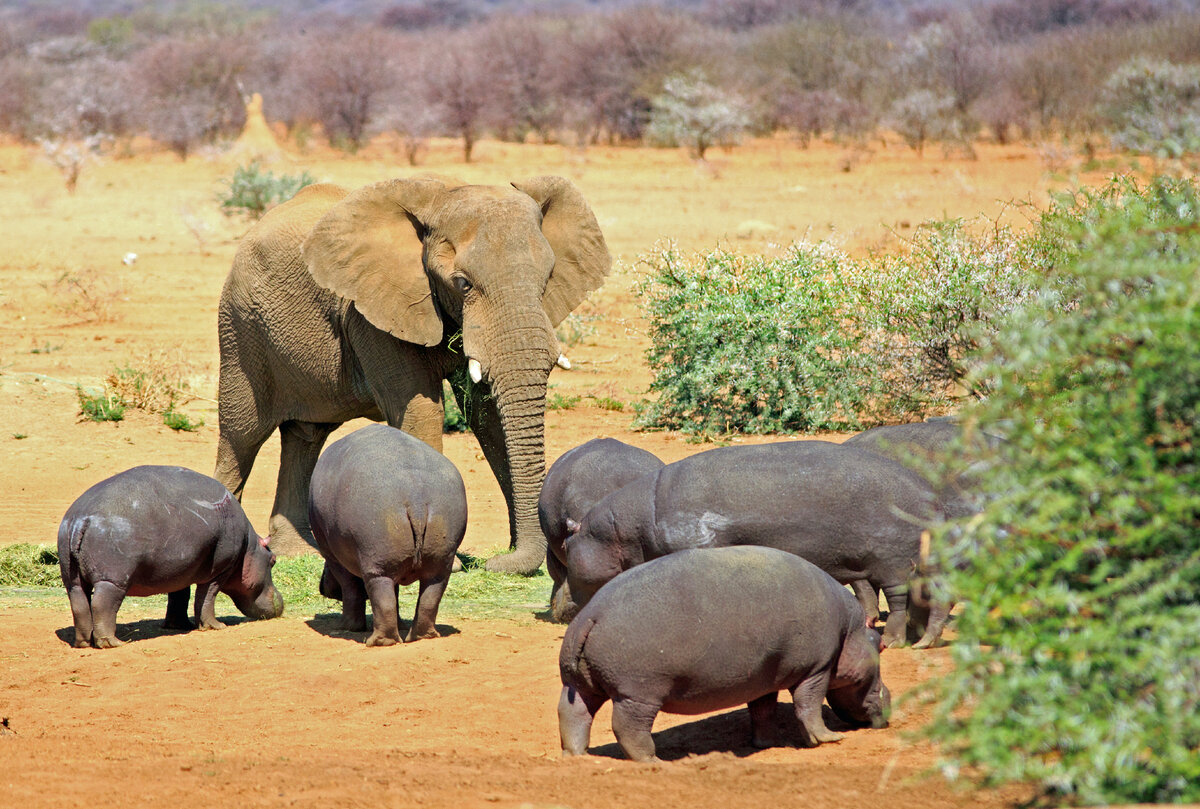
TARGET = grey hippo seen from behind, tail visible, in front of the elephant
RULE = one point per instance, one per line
(387, 511)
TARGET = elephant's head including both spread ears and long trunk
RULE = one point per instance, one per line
(425, 259)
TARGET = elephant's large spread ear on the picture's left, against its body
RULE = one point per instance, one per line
(368, 249)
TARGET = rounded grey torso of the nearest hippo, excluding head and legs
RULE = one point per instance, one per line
(705, 630)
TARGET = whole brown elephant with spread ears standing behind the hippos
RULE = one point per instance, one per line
(345, 305)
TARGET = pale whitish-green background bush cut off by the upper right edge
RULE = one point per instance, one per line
(1154, 107)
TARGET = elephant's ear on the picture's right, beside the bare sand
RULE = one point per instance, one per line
(581, 257)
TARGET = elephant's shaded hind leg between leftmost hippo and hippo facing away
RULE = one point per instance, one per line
(299, 451)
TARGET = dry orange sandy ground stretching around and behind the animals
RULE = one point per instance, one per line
(289, 712)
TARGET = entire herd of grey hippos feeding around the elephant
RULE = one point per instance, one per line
(691, 588)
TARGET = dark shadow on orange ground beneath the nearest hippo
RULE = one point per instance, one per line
(727, 733)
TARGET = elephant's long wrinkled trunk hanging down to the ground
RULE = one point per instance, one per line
(519, 385)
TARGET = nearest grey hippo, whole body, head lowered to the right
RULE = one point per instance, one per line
(712, 628)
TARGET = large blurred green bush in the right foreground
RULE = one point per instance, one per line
(1078, 662)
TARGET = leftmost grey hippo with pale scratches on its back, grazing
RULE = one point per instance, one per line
(160, 530)
